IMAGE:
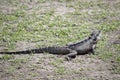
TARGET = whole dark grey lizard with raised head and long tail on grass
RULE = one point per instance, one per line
(84, 46)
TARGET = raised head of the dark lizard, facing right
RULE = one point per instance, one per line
(95, 36)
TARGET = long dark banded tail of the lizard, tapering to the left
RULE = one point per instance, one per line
(52, 50)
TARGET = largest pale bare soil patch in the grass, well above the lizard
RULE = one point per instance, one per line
(57, 7)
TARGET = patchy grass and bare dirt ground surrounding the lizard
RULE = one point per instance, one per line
(26, 24)
